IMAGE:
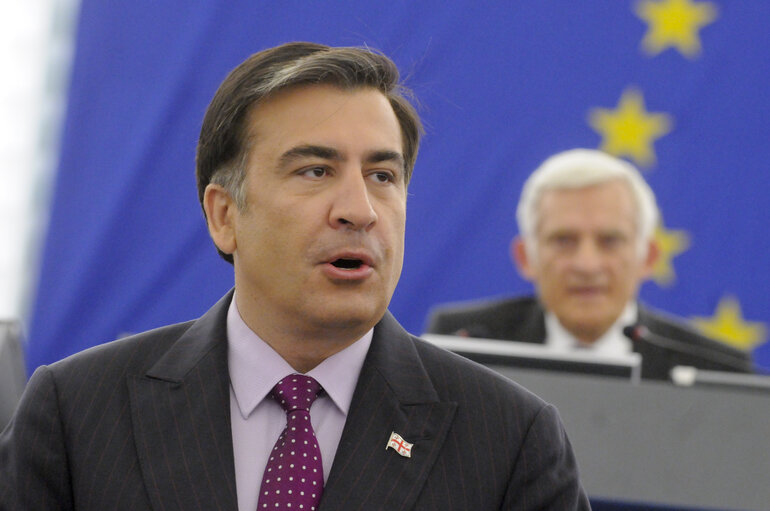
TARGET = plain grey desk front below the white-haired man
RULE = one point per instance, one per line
(654, 442)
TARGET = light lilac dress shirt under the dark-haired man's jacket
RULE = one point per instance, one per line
(257, 420)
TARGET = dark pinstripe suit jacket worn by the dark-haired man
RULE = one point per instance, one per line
(144, 423)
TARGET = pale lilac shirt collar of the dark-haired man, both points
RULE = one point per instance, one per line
(255, 367)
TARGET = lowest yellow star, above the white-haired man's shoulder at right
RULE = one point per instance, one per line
(728, 326)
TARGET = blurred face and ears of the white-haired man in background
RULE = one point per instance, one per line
(586, 266)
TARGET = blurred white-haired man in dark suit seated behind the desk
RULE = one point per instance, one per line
(587, 223)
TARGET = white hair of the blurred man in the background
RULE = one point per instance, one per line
(579, 168)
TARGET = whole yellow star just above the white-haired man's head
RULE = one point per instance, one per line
(630, 130)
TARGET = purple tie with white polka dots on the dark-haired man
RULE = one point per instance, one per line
(293, 476)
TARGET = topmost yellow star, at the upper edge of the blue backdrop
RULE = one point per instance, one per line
(674, 23)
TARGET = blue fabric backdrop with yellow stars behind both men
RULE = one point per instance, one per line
(501, 85)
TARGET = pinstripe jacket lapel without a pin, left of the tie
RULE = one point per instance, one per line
(181, 418)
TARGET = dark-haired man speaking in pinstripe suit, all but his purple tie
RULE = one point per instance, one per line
(303, 163)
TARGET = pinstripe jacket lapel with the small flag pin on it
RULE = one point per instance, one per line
(393, 394)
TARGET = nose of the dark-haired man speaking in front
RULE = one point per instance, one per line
(352, 206)
